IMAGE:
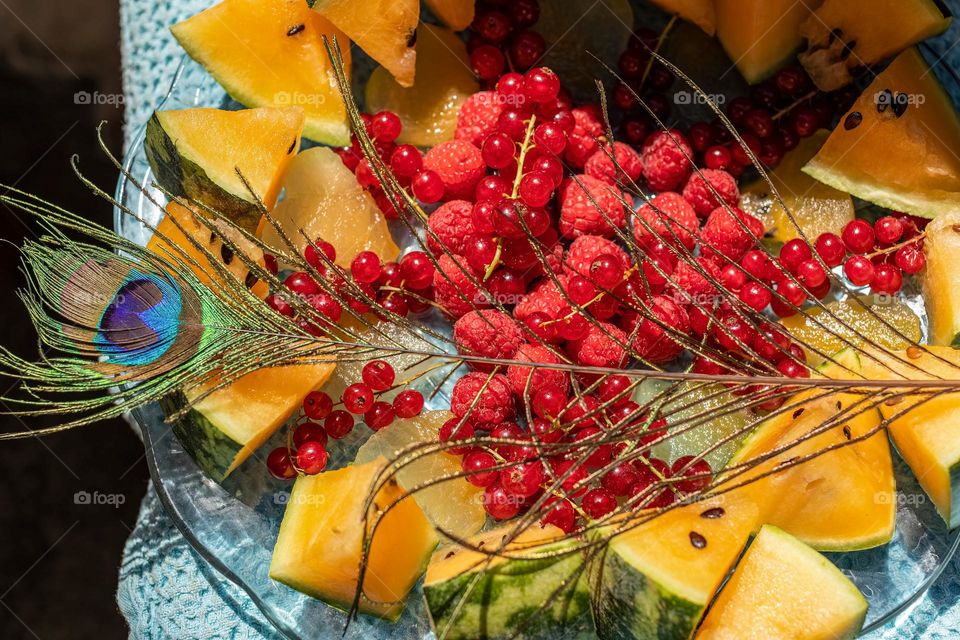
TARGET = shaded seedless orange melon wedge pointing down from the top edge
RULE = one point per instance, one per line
(760, 36)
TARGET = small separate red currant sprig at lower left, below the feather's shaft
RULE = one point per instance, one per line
(306, 452)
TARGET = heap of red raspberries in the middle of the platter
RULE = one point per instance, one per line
(592, 218)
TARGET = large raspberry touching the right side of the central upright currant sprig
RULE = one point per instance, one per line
(579, 214)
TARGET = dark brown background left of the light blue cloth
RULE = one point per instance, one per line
(58, 559)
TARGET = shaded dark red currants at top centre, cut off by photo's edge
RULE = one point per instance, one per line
(501, 30)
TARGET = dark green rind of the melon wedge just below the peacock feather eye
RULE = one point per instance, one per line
(214, 451)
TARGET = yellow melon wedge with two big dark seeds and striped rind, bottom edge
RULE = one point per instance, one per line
(656, 580)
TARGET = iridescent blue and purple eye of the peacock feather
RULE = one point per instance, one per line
(141, 322)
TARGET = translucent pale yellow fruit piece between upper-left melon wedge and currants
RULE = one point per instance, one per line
(323, 200)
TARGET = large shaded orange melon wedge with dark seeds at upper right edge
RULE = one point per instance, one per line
(897, 145)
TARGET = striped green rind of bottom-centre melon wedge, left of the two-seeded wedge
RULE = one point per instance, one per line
(520, 586)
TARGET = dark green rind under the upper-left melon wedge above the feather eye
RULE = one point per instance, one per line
(185, 178)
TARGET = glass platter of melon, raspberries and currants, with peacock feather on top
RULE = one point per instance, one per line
(535, 319)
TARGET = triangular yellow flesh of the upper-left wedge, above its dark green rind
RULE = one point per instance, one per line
(255, 143)
